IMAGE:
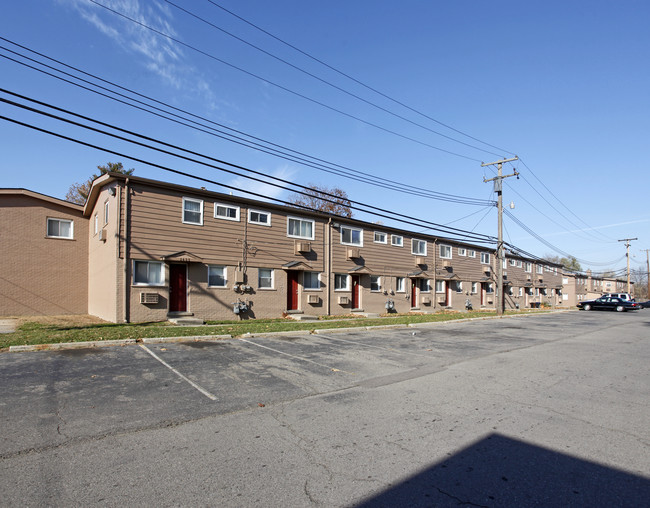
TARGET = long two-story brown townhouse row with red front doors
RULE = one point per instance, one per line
(156, 250)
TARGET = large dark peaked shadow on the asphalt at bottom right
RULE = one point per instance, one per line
(500, 471)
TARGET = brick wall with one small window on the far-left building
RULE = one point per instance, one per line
(42, 274)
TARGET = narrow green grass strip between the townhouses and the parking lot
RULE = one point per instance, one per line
(73, 329)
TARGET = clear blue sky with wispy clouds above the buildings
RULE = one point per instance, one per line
(564, 85)
